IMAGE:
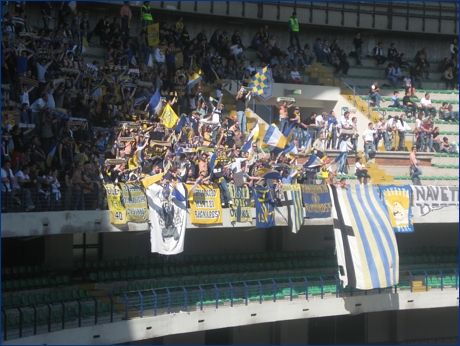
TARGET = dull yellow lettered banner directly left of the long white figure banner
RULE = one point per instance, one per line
(134, 199)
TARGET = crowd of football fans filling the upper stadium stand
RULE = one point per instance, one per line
(83, 124)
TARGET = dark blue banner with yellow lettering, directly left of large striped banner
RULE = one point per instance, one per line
(317, 201)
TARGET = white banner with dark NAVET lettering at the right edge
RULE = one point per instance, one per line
(429, 198)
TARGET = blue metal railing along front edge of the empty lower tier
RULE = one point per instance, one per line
(22, 321)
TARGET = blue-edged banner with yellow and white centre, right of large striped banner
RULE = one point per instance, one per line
(397, 200)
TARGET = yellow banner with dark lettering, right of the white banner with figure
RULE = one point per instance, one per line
(205, 207)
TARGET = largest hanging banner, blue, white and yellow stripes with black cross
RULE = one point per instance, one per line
(367, 251)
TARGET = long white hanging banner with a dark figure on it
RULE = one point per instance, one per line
(167, 218)
